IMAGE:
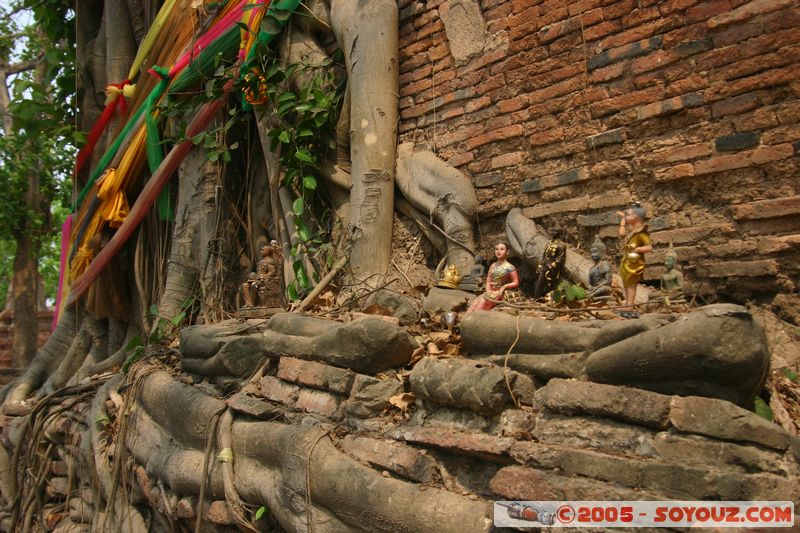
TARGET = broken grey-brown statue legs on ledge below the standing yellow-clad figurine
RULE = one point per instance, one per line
(718, 351)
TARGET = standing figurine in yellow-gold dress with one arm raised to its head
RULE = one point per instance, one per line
(631, 268)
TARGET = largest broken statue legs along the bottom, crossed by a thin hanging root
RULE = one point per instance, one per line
(277, 464)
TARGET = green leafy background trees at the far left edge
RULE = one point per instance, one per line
(38, 137)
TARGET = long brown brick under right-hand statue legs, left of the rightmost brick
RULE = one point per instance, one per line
(637, 406)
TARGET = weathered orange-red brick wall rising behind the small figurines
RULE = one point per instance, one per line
(575, 108)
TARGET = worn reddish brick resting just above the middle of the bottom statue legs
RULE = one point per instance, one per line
(398, 458)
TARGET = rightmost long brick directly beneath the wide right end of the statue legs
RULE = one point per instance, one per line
(726, 421)
